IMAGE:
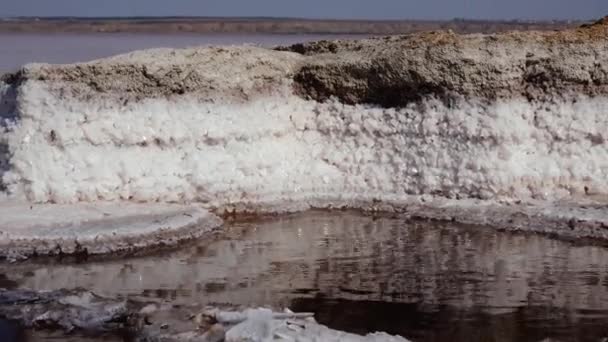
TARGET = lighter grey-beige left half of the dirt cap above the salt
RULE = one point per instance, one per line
(210, 73)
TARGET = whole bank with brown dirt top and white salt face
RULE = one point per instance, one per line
(512, 120)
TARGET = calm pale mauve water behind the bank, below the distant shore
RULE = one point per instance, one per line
(19, 49)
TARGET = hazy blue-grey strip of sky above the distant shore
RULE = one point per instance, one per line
(369, 9)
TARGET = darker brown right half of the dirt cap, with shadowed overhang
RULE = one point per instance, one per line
(395, 71)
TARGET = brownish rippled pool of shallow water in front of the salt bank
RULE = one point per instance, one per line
(425, 281)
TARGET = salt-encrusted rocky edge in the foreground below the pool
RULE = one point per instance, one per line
(79, 312)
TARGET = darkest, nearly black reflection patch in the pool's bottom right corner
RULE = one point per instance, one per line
(444, 323)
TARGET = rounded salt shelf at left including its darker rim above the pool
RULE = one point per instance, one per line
(28, 229)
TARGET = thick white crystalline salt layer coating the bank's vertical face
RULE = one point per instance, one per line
(283, 149)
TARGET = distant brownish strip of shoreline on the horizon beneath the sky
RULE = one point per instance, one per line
(263, 25)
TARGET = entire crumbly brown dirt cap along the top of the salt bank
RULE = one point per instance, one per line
(387, 71)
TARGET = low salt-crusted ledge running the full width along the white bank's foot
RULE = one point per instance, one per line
(112, 230)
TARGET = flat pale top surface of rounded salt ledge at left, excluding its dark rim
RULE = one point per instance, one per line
(86, 221)
